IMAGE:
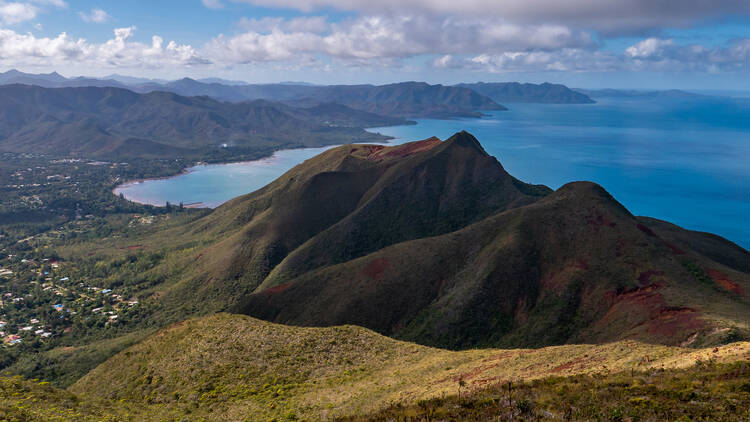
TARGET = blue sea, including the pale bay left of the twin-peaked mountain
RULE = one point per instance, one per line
(685, 160)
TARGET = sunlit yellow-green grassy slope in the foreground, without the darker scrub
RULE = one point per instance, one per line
(230, 367)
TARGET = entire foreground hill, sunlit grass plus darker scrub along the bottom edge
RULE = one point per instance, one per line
(231, 367)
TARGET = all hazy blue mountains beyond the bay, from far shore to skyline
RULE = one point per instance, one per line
(126, 118)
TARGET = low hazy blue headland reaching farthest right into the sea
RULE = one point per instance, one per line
(514, 92)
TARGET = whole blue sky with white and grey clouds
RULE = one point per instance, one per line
(638, 44)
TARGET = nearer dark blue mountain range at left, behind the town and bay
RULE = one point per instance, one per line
(114, 123)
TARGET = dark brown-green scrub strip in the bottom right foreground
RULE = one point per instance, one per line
(706, 391)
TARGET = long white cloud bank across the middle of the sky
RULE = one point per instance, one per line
(386, 37)
